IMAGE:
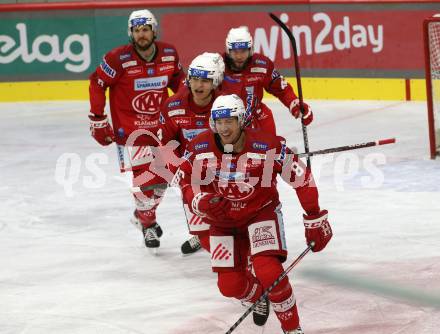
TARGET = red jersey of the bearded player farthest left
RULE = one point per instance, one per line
(137, 88)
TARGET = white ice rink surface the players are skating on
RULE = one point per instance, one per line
(72, 263)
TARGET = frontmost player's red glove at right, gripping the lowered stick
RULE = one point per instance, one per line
(318, 230)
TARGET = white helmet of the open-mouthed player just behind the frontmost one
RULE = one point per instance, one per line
(208, 66)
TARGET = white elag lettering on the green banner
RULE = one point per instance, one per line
(73, 50)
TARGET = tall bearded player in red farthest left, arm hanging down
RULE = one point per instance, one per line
(138, 76)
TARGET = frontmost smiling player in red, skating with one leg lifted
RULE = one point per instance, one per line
(229, 177)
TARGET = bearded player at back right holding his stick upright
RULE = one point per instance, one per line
(248, 74)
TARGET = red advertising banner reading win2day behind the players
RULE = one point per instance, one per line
(367, 40)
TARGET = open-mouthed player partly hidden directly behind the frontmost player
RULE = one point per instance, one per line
(185, 115)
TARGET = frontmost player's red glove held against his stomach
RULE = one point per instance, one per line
(211, 206)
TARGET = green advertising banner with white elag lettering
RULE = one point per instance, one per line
(62, 48)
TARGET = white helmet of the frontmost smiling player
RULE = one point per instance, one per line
(226, 106)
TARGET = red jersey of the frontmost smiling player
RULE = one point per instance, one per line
(247, 179)
